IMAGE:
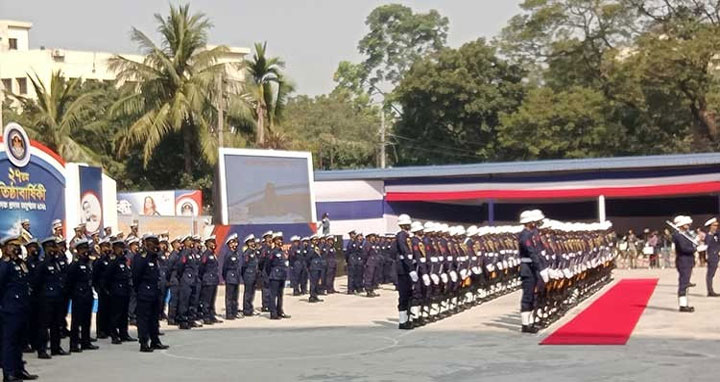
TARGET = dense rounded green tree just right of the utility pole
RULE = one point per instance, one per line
(452, 102)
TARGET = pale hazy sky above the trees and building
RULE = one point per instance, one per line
(311, 36)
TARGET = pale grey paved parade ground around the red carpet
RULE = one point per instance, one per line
(349, 338)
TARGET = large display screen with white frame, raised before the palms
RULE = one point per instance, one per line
(266, 186)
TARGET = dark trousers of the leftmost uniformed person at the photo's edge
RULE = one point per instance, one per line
(13, 337)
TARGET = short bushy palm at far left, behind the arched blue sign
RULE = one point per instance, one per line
(58, 114)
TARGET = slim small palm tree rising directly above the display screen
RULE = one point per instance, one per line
(264, 80)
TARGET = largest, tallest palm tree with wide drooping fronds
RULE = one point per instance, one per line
(174, 87)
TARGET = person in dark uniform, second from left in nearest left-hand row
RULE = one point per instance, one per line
(48, 284)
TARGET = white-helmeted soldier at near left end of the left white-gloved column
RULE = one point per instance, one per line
(405, 270)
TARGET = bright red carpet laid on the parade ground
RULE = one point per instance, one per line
(610, 319)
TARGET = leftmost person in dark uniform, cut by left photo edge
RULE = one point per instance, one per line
(14, 309)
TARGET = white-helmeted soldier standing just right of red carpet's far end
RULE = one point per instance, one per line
(685, 248)
